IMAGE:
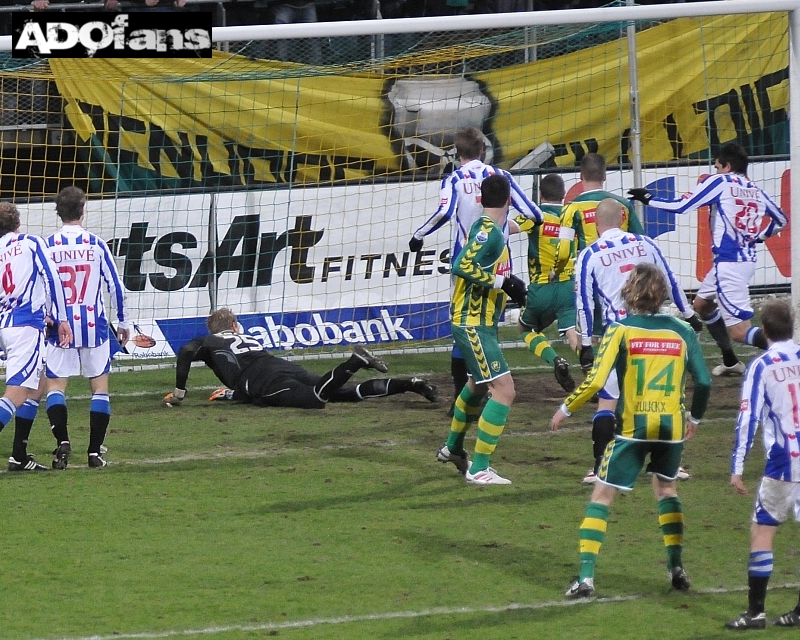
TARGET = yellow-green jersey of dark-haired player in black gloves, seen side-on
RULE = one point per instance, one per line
(485, 255)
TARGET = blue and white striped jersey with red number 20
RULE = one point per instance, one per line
(738, 208)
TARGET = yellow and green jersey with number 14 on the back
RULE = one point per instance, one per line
(652, 355)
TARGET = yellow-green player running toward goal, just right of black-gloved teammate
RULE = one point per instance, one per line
(551, 294)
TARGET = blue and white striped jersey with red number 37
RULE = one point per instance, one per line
(84, 262)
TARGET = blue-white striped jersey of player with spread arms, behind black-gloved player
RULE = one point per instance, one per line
(460, 194)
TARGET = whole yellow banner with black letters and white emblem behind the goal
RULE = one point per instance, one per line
(701, 82)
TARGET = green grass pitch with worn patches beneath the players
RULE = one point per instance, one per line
(229, 521)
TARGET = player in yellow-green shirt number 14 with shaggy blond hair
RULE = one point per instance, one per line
(652, 353)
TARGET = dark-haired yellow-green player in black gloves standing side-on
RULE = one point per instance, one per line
(483, 279)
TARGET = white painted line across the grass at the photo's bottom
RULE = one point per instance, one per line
(392, 615)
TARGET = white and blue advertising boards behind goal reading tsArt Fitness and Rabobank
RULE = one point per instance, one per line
(326, 267)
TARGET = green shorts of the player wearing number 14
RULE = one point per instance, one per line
(623, 461)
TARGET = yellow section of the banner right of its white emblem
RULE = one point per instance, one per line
(701, 82)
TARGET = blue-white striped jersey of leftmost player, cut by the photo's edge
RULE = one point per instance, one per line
(29, 283)
